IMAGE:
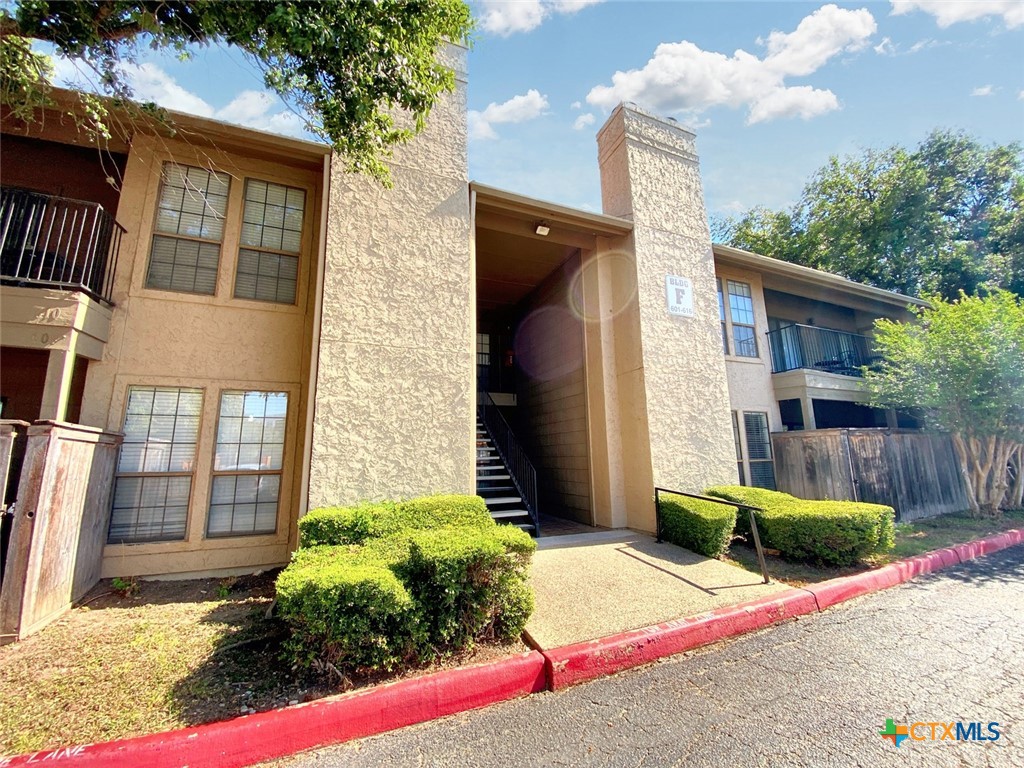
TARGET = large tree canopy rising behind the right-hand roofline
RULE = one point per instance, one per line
(945, 218)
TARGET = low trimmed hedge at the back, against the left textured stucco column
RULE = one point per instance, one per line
(357, 525)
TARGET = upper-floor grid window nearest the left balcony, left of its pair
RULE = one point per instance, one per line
(186, 250)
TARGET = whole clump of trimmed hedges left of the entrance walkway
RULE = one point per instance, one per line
(391, 584)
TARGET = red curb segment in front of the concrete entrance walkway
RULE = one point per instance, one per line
(576, 664)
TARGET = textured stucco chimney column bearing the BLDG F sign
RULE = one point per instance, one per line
(650, 174)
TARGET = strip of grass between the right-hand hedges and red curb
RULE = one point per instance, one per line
(913, 539)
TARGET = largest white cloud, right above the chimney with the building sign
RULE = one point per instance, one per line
(681, 77)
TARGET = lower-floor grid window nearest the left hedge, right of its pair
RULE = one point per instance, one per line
(248, 464)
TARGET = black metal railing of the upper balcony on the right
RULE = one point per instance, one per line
(800, 347)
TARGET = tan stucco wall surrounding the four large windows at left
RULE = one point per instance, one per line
(216, 343)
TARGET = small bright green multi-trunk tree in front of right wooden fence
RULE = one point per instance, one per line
(963, 364)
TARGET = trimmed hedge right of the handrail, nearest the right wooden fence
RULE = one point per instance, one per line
(827, 532)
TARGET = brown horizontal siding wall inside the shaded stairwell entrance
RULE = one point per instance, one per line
(552, 401)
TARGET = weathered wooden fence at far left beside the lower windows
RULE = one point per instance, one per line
(60, 527)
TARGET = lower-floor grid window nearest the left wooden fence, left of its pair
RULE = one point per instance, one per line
(155, 468)
